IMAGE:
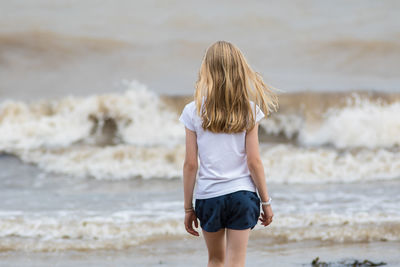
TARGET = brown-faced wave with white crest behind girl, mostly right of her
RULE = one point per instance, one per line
(339, 119)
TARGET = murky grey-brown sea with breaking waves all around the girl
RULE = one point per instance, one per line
(91, 149)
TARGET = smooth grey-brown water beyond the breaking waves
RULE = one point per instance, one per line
(72, 47)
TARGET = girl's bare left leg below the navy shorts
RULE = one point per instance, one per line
(216, 247)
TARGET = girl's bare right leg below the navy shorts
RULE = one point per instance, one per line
(236, 247)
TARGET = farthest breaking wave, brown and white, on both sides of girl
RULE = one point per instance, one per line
(139, 116)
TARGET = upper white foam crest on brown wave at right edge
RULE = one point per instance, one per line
(361, 123)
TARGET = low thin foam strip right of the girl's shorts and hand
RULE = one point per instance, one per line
(335, 227)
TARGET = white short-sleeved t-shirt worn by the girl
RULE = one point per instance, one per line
(223, 160)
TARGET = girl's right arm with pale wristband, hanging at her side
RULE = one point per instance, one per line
(256, 169)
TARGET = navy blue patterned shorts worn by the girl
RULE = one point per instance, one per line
(238, 210)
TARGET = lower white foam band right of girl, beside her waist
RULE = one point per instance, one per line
(292, 164)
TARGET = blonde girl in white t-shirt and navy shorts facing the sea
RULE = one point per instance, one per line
(221, 126)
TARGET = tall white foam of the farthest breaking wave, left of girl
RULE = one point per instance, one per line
(137, 115)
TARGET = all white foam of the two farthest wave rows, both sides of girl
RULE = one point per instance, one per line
(137, 134)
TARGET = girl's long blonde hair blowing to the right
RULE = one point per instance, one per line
(228, 84)
